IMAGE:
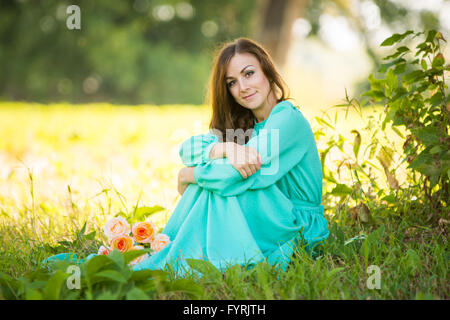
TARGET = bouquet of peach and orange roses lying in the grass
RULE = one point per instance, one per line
(138, 237)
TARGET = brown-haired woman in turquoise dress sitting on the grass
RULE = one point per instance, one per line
(252, 186)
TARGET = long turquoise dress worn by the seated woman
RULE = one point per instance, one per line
(226, 219)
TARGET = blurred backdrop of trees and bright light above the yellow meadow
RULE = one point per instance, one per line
(160, 52)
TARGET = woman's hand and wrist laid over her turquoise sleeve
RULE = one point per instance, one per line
(244, 159)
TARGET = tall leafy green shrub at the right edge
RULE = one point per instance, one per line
(413, 92)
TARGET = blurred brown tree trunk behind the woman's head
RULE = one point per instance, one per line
(274, 23)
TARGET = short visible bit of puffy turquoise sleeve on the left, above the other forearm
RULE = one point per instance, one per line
(196, 149)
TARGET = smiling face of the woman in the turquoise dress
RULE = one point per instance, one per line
(246, 81)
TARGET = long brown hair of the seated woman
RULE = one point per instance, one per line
(226, 112)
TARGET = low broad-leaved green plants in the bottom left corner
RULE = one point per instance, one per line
(102, 278)
